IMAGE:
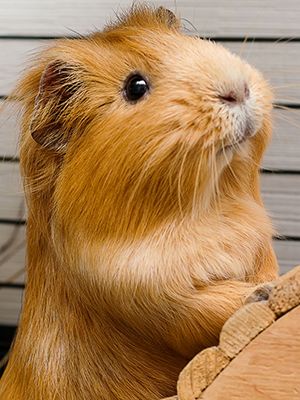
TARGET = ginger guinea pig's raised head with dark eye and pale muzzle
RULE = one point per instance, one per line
(139, 126)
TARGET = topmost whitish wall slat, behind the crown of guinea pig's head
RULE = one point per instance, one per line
(211, 17)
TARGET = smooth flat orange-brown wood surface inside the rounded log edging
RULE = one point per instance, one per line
(268, 368)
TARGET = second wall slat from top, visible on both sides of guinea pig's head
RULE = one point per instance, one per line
(281, 66)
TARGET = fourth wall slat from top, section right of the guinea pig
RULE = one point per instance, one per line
(281, 194)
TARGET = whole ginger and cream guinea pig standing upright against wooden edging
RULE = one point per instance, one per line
(140, 154)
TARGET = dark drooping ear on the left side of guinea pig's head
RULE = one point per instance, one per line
(57, 87)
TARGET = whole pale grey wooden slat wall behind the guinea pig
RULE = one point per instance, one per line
(264, 32)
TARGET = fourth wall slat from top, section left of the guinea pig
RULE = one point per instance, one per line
(11, 197)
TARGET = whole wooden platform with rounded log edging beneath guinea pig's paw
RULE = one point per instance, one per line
(258, 357)
